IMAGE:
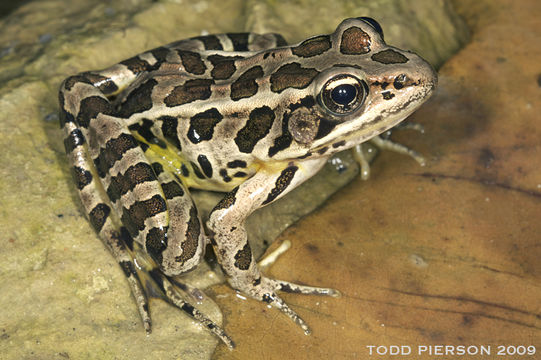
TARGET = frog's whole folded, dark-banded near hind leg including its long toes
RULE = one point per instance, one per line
(113, 177)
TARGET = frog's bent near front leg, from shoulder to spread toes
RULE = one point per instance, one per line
(231, 245)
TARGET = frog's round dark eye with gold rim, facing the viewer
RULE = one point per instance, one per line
(343, 94)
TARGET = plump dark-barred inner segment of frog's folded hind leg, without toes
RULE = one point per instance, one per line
(157, 211)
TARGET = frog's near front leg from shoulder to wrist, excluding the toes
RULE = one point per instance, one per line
(227, 218)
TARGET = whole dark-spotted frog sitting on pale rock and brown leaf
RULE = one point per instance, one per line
(240, 113)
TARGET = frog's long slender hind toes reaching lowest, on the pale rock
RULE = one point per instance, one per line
(170, 292)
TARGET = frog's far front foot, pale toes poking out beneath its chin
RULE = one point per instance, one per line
(384, 142)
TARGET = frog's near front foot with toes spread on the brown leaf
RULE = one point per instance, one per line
(266, 289)
